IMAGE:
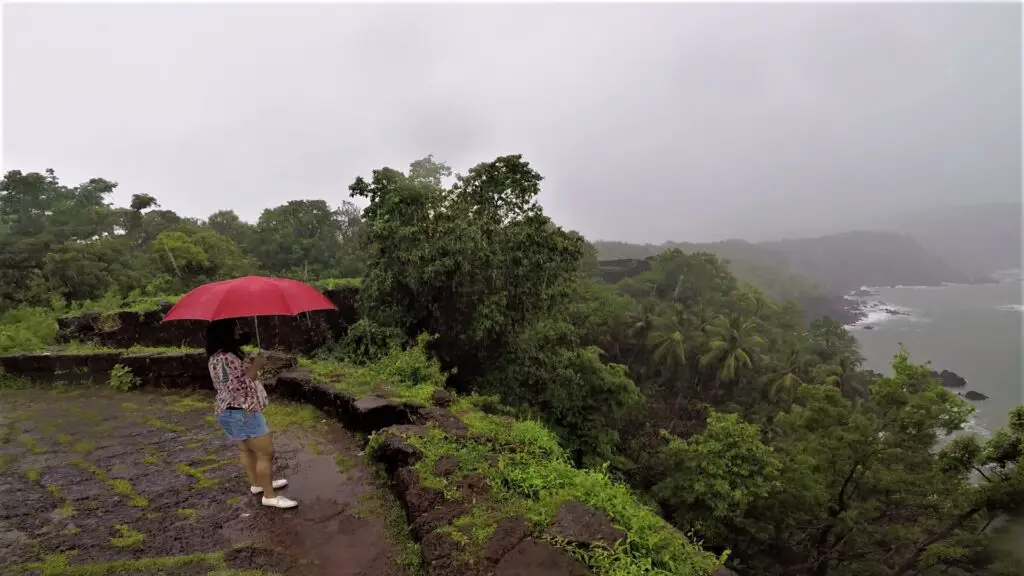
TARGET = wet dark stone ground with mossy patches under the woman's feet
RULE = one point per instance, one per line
(98, 482)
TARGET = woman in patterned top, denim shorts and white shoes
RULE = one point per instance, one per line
(241, 399)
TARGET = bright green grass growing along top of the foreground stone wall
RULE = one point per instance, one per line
(533, 478)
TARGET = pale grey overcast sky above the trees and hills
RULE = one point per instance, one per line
(651, 124)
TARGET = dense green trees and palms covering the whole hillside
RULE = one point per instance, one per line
(753, 433)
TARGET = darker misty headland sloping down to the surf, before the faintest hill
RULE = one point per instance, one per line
(846, 262)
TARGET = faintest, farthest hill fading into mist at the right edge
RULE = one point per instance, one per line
(978, 240)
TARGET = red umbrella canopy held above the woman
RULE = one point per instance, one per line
(250, 296)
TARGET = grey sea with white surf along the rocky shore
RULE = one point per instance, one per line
(976, 332)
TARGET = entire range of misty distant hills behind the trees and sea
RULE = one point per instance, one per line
(957, 245)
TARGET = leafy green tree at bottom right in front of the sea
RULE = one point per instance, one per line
(863, 492)
